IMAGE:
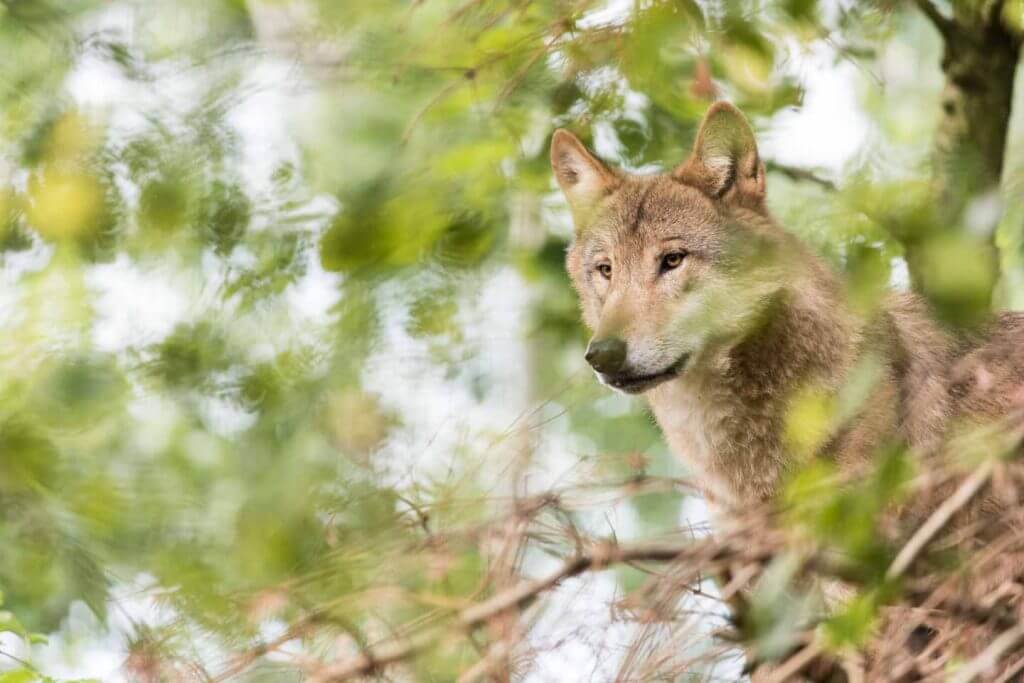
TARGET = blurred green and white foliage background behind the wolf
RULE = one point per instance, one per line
(289, 363)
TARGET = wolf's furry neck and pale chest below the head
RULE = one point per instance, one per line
(727, 417)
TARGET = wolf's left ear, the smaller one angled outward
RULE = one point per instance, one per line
(581, 176)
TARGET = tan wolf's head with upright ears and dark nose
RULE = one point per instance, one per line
(671, 269)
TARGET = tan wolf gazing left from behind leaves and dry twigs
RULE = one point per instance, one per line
(726, 323)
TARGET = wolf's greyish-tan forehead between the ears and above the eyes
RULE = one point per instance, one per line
(654, 207)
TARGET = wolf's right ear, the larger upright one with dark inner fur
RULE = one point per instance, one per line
(724, 163)
